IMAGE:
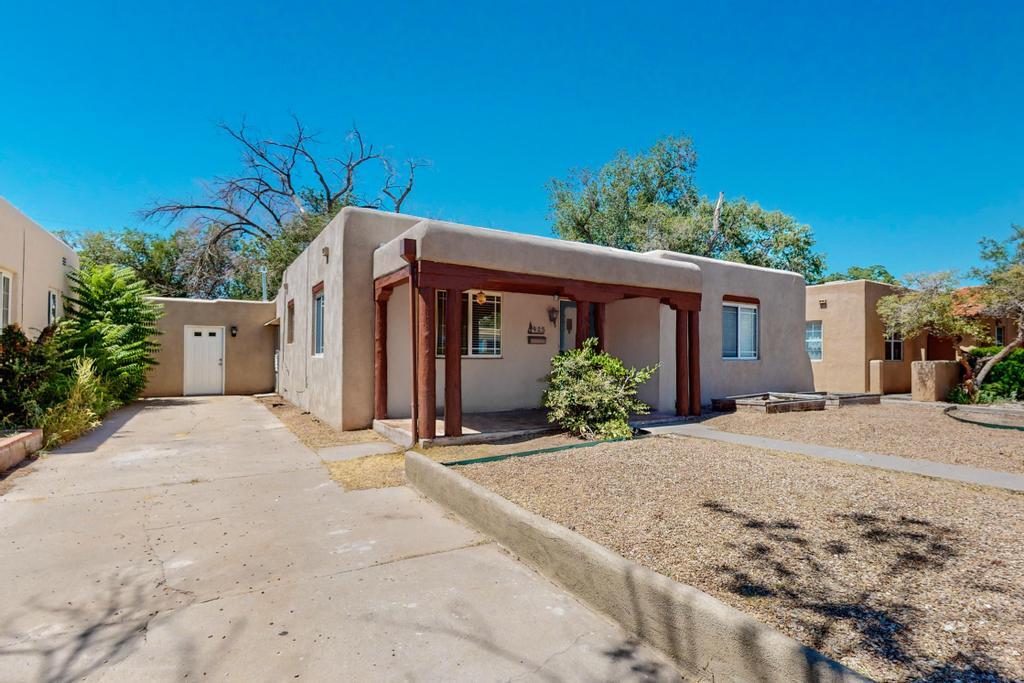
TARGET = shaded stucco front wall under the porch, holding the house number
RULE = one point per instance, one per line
(509, 382)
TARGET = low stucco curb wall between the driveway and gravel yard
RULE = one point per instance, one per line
(705, 637)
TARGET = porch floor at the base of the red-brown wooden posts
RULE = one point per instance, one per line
(484, 428)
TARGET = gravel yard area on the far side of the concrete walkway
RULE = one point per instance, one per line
(910, 432)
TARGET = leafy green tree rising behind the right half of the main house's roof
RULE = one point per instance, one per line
(651, 201)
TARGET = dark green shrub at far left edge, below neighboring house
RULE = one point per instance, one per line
(30, 377)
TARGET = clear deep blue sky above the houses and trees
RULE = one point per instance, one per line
(895, 131)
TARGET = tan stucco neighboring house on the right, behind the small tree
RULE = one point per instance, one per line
(848, 346)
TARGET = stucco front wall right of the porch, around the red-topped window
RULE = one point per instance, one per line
(782, 365)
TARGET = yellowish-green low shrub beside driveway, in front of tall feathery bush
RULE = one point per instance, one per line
(87, 403)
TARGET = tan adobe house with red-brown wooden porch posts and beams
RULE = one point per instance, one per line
(366, 319)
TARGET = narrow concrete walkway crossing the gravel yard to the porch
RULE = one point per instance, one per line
(930, 468)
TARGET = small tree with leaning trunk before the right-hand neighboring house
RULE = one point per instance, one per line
(932, 304)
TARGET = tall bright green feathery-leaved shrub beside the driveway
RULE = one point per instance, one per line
(111, 321)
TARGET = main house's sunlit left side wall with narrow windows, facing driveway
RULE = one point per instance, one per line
(315, 383)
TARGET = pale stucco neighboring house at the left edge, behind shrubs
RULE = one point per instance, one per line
(34, 268)
